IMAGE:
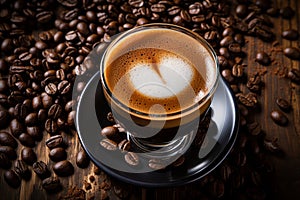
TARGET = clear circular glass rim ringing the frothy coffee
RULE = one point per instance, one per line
(177, 28)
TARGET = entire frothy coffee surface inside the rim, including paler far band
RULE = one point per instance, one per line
(162, 72)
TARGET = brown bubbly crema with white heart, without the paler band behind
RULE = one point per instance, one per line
(155, 81)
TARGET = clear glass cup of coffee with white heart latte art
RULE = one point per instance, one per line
(159, 81)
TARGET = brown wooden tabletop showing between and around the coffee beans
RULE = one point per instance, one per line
(286, 177)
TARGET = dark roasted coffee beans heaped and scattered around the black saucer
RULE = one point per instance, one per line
(44, 45)
